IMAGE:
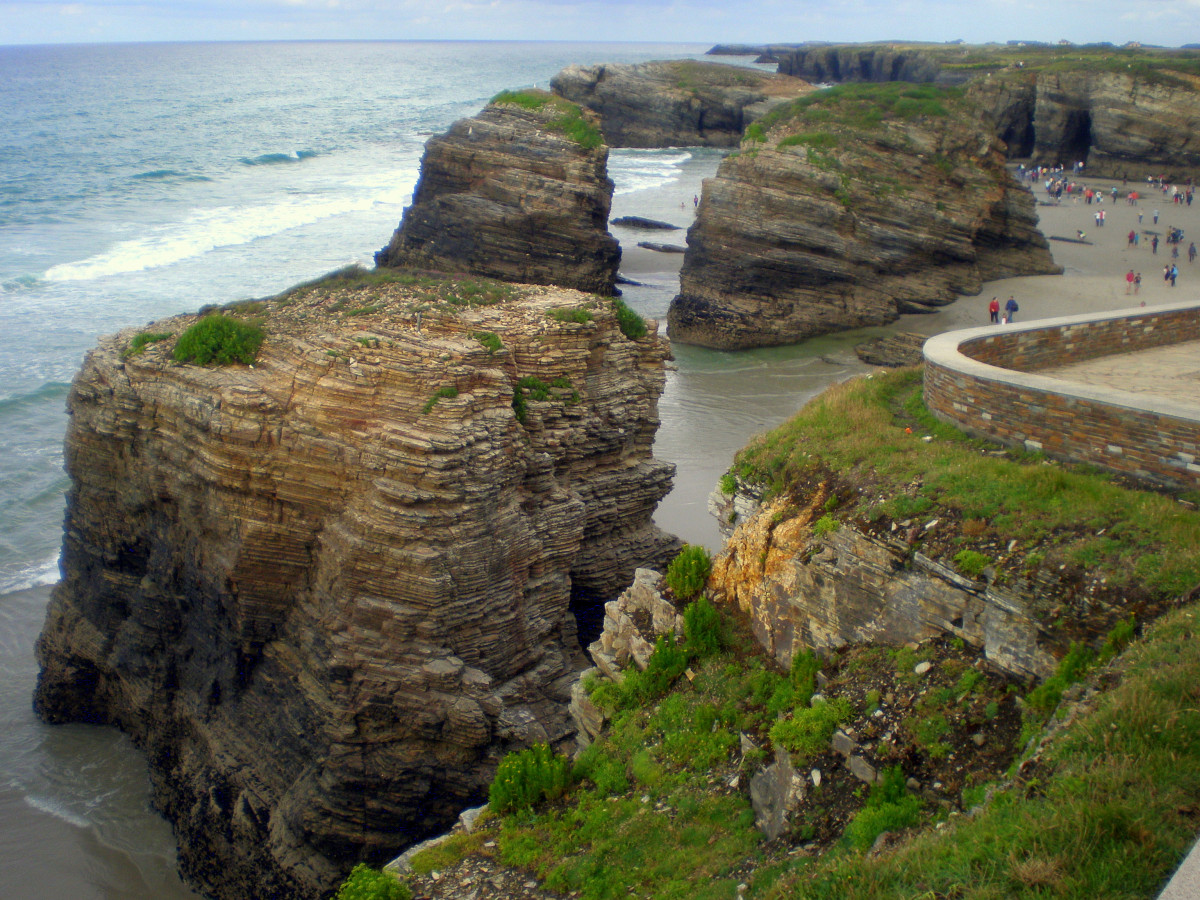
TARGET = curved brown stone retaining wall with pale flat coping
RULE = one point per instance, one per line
(1150, 439)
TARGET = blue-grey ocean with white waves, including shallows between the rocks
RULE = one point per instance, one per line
(145, 181)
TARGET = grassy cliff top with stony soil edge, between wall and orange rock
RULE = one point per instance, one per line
(1095, 548)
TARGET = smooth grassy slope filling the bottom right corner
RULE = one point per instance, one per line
(1109, 814)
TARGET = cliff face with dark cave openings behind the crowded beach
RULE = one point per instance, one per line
(1121, 125)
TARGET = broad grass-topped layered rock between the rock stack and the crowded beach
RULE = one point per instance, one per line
(823, 229)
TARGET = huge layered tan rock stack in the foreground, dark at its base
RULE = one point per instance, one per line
(328, 592)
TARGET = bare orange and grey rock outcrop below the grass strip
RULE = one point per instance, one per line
(824, 592)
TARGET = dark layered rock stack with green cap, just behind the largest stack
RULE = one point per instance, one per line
(509, 195)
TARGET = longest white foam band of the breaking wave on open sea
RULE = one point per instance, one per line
(211, 230)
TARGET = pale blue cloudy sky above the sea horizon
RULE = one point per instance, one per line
(1168, 23)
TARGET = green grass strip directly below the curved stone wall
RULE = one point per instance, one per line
(857, 430)
